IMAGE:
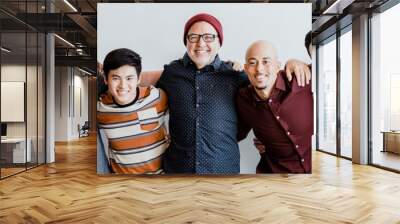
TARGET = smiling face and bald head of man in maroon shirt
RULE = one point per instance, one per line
(261, 65)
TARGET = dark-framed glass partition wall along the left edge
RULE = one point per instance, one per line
(22, 64)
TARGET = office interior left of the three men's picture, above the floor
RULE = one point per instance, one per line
(44, 97)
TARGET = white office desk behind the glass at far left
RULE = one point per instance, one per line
(16, 147)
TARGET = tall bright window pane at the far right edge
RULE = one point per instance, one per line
(385, 89)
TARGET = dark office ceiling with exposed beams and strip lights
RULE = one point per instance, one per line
(76, 22)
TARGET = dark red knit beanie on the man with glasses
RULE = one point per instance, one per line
(206, 18)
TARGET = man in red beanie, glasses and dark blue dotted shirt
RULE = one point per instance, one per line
(201, 93)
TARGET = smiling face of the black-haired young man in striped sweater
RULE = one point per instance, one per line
(122, 83)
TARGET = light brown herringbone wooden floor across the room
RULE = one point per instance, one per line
(70, 191)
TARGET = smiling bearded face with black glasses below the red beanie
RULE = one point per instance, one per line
(201, 52)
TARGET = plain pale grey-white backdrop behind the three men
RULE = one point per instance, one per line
(155, 31)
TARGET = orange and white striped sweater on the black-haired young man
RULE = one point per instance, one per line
(137, 136)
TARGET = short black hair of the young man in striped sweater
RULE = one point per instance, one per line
(120, 57)
